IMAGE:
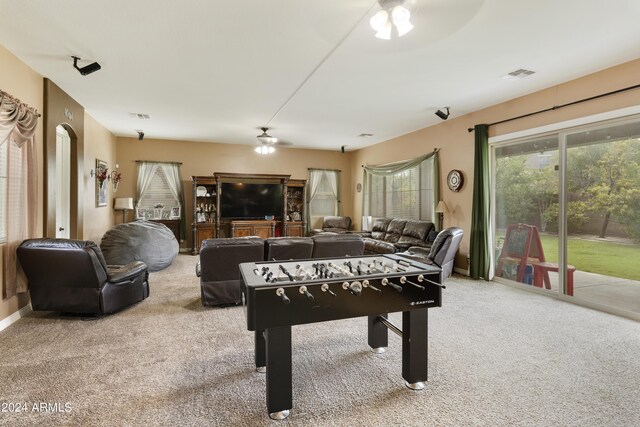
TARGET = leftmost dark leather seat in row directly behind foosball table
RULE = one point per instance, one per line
(218, 267)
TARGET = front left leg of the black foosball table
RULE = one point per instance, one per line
(279, 385)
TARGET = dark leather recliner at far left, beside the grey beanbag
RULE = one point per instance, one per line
(72, 276)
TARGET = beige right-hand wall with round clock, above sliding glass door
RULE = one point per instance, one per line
(457, 144)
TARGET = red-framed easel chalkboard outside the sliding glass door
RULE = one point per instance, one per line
(521, 244)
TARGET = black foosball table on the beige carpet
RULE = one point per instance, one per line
(278, 295)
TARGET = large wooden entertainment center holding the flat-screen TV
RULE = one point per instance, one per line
(236, 205)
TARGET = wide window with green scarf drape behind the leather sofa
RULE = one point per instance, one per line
(407, 194)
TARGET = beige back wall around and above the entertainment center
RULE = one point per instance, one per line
(203, 158)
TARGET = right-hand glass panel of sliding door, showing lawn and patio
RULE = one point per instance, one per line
(603, 215)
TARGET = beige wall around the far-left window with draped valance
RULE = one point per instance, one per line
(22, 82)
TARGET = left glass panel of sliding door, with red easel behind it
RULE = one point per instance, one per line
(526, 206)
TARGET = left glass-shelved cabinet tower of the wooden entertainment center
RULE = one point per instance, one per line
(205, 205)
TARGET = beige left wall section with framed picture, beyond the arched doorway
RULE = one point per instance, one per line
(99, 144)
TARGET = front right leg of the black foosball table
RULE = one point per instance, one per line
(414, 348)
